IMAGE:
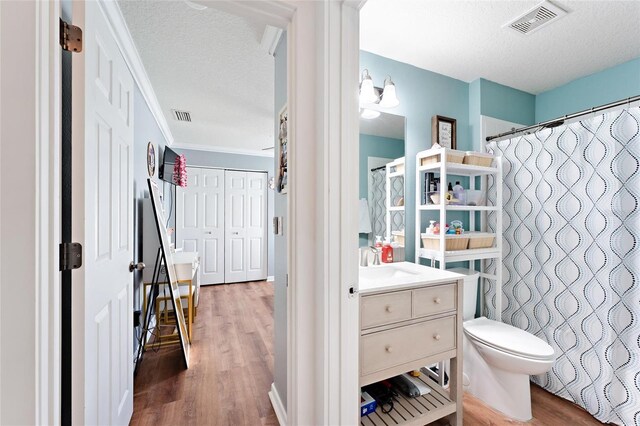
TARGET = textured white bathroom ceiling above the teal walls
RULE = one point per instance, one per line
(465, 39)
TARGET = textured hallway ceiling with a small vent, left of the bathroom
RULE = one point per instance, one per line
(209, 63)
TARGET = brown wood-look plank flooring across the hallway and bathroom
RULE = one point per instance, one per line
(231, 372)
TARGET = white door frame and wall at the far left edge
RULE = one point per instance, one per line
(30, 291)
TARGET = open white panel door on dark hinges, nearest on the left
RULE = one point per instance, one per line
(103, 221)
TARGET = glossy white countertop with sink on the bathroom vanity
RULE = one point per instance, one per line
(400, 275)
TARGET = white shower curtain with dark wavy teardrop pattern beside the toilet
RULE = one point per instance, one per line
(571, 256)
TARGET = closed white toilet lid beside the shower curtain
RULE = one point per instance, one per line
(508, 338)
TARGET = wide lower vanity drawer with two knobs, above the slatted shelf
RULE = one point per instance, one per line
(400, 345)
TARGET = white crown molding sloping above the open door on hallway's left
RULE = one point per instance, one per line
(134, 62)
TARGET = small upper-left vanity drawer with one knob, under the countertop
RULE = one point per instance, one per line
(384, 309)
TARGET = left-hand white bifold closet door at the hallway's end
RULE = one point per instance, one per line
(200, 221)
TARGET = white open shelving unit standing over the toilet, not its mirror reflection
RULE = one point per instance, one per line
(445, 170)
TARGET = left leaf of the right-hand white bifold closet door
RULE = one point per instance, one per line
(235, 226)
